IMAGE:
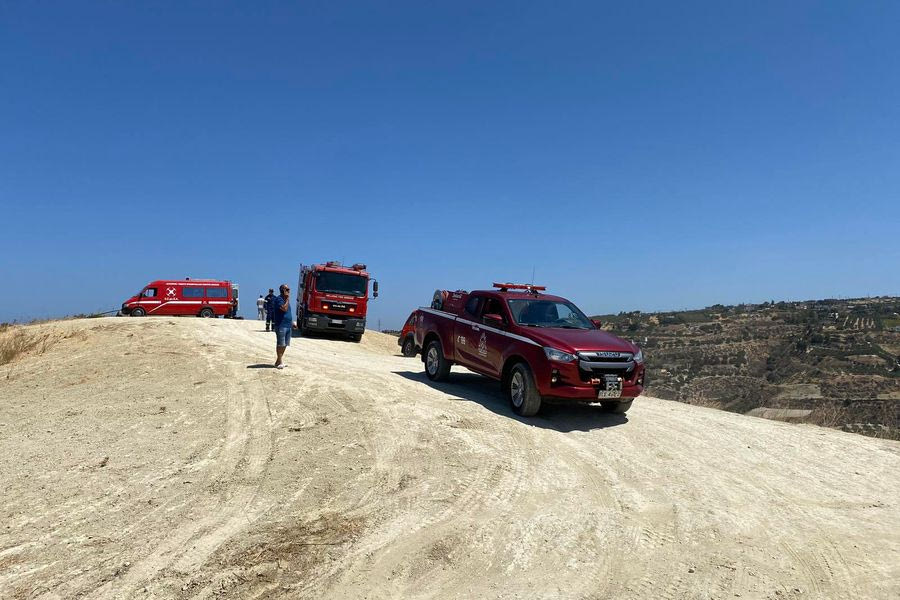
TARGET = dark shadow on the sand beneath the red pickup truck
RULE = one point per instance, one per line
(561, 416)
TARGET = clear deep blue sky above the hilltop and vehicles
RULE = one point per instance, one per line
(635, 155)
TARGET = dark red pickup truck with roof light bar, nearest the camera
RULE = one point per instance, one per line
(537, 345)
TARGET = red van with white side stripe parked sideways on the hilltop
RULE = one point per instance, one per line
(191, 297)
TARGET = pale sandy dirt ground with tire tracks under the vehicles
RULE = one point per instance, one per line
(165, 458)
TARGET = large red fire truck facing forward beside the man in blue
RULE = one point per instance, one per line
(334, 298)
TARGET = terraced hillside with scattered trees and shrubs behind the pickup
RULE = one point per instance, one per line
(830, 362)
